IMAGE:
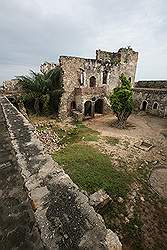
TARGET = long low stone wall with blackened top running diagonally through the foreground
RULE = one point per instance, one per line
(63, 214)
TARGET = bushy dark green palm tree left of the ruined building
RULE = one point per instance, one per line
(43, 90)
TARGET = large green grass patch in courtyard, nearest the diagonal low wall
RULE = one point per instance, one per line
(91, 170)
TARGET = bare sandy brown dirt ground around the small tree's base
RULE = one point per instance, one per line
(143, 129)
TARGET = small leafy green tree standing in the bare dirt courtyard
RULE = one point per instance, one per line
(122, 102)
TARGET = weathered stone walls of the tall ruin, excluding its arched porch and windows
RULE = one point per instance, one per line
(114, 64)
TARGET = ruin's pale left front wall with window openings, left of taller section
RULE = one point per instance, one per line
(72, 67)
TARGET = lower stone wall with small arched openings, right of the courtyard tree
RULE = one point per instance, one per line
(151, 96)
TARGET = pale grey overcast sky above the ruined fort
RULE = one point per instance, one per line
(34, 31)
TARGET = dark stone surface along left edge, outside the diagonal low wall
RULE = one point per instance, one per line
(18, 227)
